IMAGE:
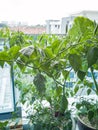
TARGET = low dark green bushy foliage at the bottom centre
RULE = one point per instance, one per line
(50, 119)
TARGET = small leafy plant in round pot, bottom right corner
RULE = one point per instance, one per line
(88, 114)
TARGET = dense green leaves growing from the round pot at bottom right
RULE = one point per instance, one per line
(88, 108)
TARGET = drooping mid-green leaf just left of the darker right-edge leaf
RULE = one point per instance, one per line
(75, 61)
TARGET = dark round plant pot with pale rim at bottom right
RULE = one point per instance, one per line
(83, 126)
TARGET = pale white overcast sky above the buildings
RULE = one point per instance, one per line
(38, 11)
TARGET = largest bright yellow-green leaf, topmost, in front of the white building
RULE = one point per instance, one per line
(81, 30)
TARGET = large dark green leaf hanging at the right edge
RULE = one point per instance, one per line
(92, 56)
